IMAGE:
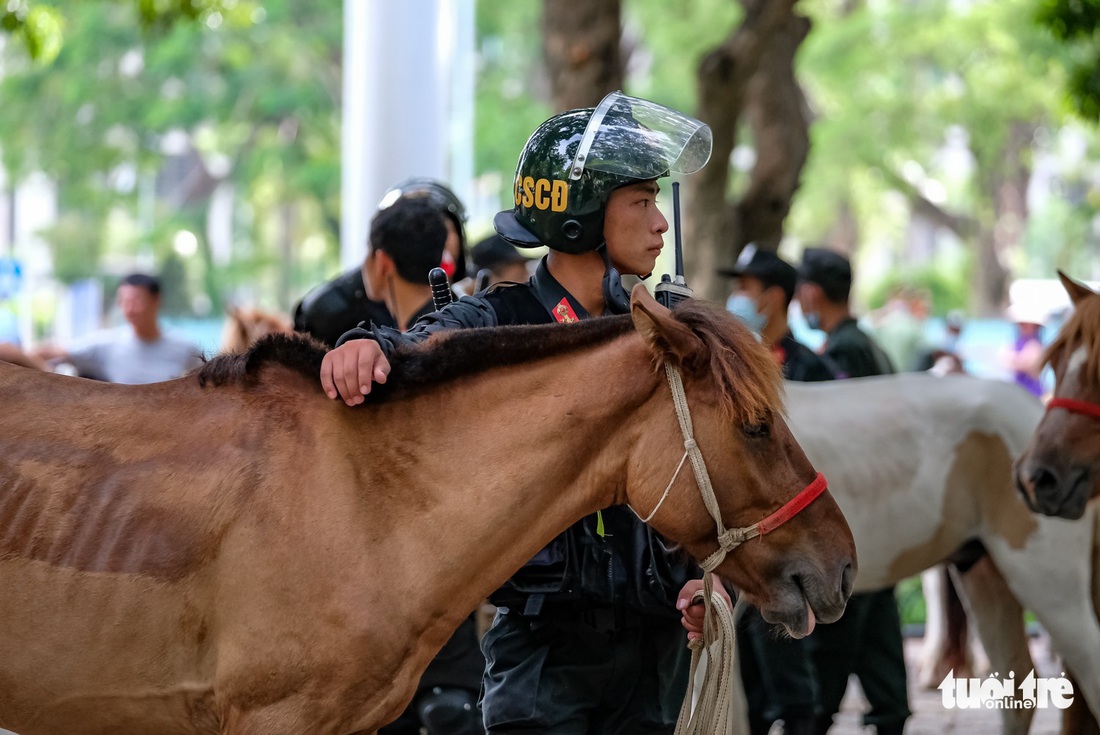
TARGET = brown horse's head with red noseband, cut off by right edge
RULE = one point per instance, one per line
(1061, 469)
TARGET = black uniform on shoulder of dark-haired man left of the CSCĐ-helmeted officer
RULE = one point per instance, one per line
(333, 309)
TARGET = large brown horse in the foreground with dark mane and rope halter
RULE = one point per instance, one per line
(234, 553)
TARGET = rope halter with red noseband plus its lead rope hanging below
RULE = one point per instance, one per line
(708, 711)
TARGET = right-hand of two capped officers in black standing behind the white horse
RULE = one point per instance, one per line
(867, 639)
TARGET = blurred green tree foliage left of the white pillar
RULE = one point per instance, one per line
(246, 93)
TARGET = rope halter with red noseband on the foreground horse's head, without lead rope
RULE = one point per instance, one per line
(729, 539)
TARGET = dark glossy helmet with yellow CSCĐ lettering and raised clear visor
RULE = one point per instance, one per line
(573, 163)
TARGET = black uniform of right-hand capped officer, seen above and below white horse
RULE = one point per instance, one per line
(867, 639)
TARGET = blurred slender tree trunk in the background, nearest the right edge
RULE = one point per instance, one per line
(1008, 187)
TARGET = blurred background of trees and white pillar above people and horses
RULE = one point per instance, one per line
(238, 148)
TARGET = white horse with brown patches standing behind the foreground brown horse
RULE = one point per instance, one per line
(922, 465)
